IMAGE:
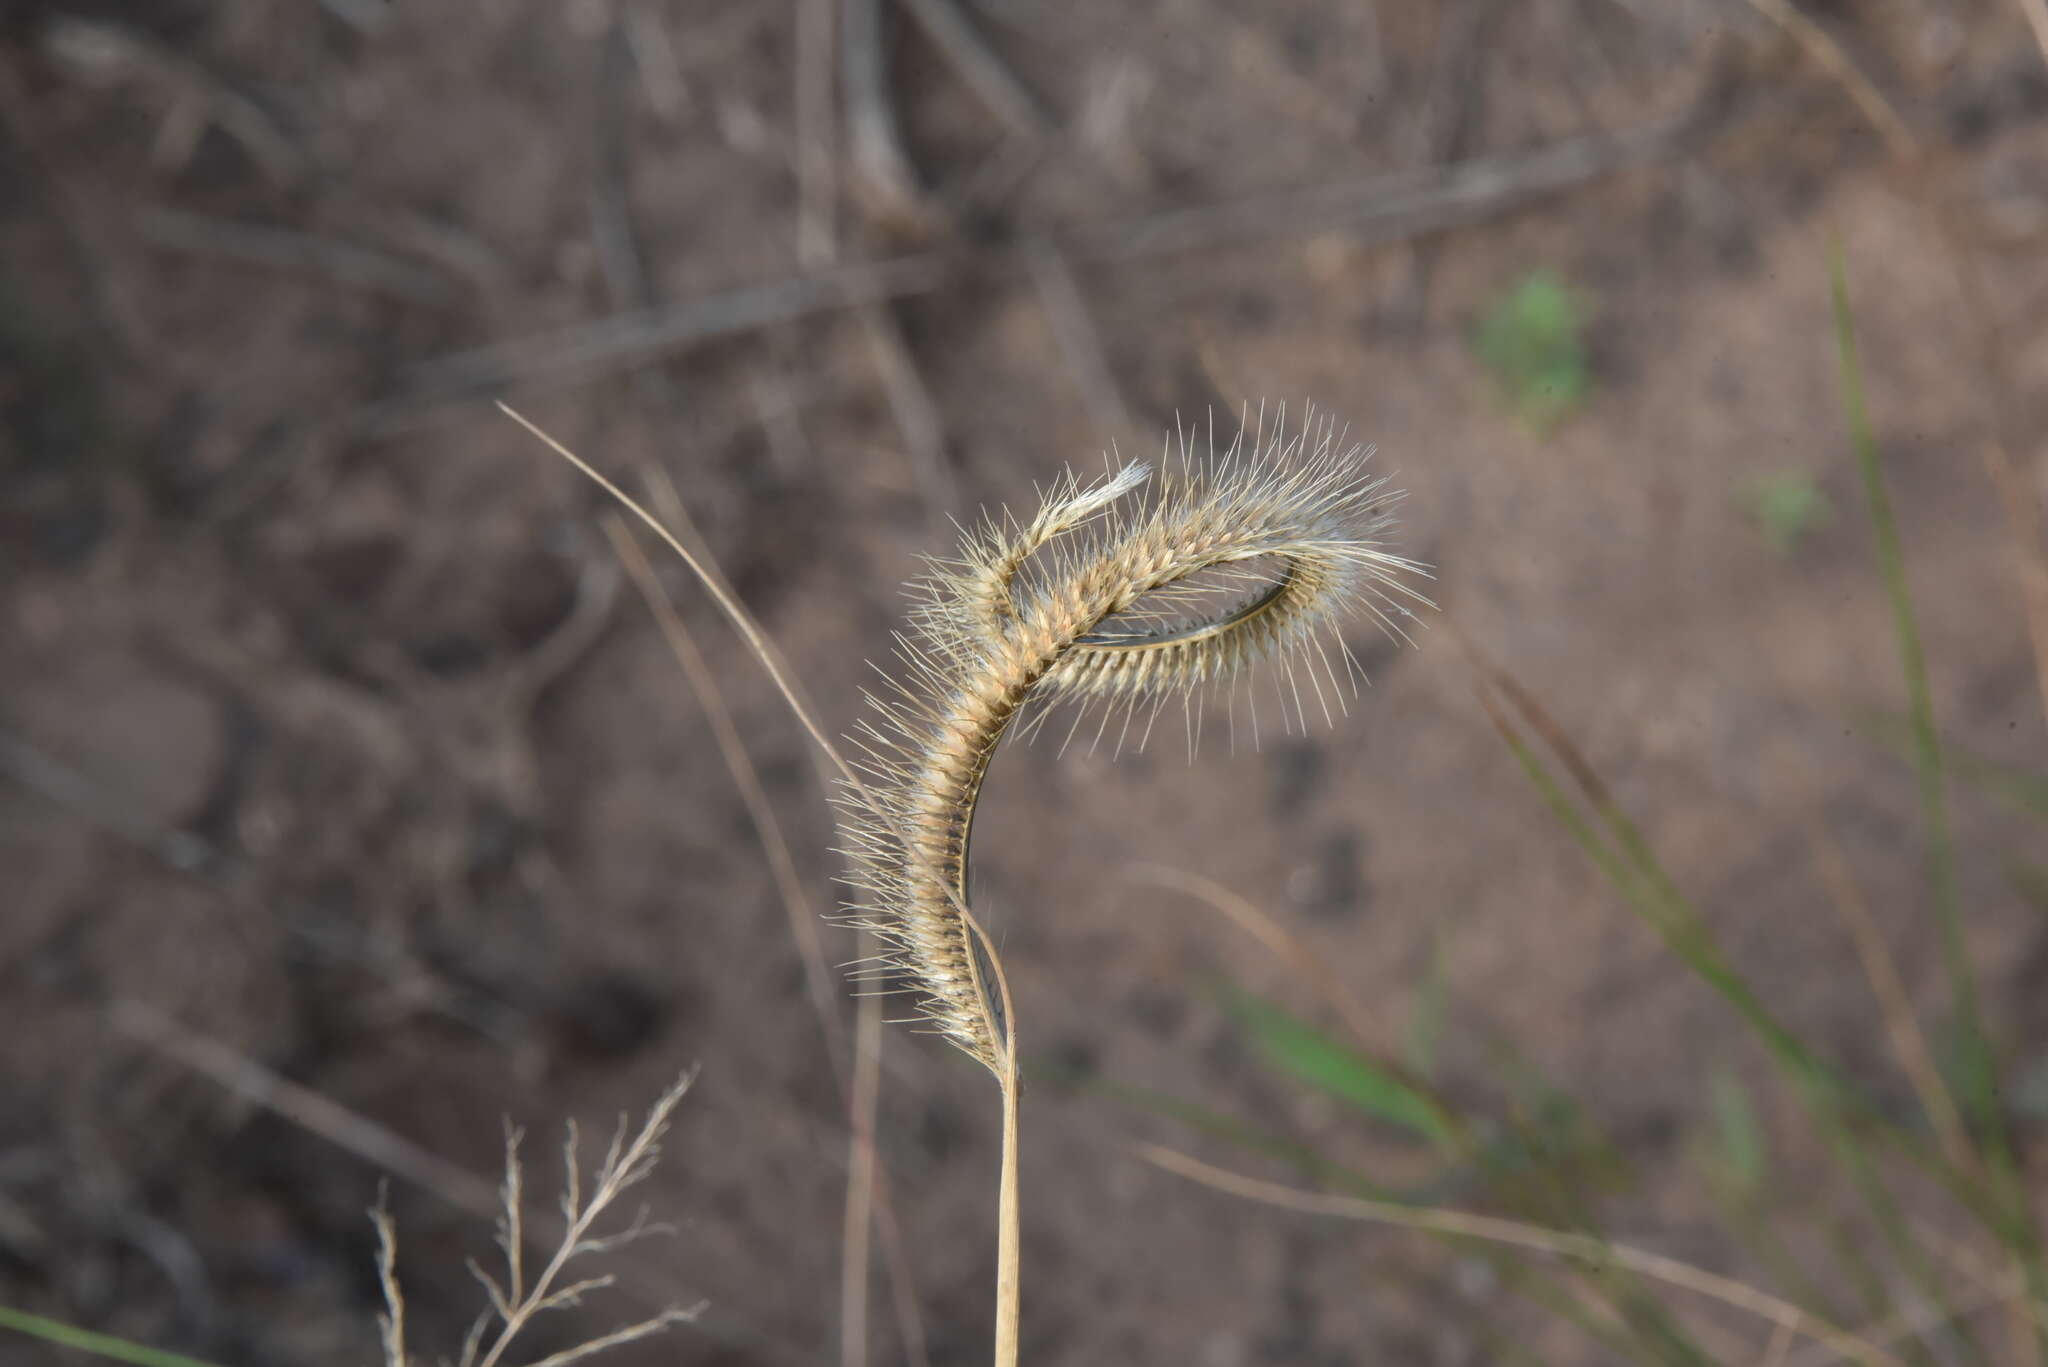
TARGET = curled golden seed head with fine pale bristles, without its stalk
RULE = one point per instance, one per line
(1099, 602)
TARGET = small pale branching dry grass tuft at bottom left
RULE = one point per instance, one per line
(517, 1300)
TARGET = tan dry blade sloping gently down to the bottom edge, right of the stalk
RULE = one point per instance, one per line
(1537, 1239)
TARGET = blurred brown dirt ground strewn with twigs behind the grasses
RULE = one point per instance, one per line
(335, 743)
